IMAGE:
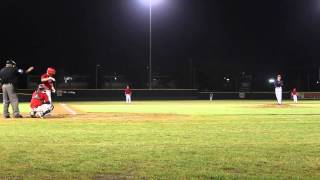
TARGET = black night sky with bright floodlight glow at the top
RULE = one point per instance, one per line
(217, 38)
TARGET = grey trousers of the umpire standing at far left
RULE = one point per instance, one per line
(10, 97)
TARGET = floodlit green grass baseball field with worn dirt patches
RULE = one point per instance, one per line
(165, 140)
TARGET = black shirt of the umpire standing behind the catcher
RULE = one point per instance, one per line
(9, 75)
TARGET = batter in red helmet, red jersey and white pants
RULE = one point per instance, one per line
(48, 80)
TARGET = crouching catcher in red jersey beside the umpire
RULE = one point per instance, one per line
(40, 104)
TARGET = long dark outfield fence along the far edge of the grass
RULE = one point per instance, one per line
(159, 94)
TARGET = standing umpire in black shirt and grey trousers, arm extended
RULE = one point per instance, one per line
(9, 79)
